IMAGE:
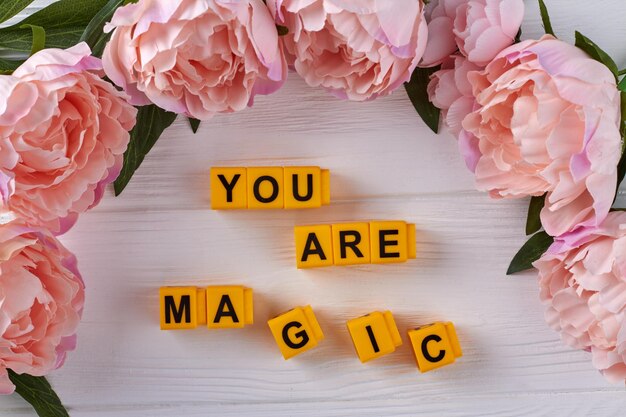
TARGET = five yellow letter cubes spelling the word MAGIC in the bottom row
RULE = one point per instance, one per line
(297, 330)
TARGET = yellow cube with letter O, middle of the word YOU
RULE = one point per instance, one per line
(265, 188)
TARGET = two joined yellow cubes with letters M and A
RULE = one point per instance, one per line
(218, 307)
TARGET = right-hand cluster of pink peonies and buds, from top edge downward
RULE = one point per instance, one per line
(542, 118)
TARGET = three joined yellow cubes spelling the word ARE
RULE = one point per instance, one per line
(376, 242)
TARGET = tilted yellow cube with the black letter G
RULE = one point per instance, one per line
(296, 331)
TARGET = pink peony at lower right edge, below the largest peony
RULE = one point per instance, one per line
(584, 290)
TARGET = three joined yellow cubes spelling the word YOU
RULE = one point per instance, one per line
(269, 187)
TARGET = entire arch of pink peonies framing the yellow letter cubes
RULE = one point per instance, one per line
(532, 118)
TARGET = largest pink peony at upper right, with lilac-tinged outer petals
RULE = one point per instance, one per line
(546, 120)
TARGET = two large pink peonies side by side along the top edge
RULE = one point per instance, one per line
(202, 57)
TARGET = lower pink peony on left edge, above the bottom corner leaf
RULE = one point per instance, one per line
(41, 301)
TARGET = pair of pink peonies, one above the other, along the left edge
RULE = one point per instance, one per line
(63, 133)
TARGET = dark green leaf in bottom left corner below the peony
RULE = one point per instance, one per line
(36, 390)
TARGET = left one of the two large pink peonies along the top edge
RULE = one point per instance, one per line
(195, 57)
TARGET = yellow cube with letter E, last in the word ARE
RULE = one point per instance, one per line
(392, 241)
